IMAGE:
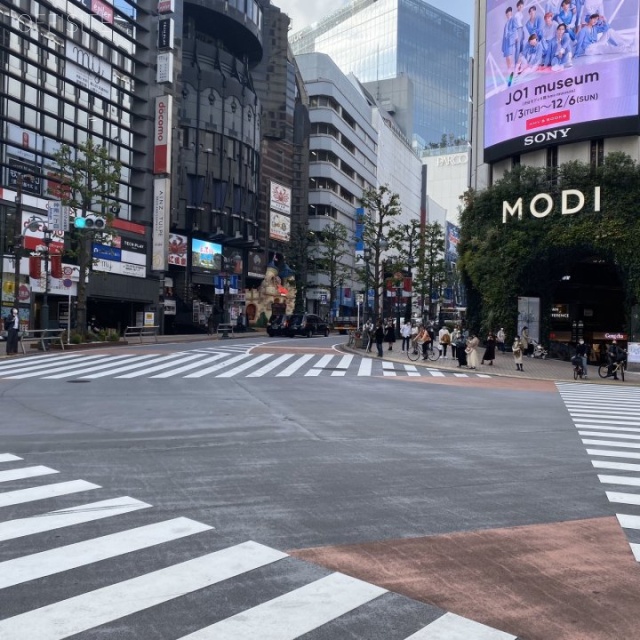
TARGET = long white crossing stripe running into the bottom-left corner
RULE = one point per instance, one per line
(87, 611)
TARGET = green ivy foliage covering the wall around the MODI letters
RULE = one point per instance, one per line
(501, 261)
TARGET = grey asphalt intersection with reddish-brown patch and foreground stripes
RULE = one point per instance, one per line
(474, 496)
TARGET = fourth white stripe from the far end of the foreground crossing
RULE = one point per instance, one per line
(67, 517)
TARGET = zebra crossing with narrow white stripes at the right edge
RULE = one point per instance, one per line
(608, 420)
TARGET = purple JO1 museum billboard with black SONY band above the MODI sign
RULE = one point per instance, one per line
(552, 78)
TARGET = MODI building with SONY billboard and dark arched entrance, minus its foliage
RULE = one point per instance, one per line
(580, 104)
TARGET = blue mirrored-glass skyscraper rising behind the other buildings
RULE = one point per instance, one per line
(412, 57)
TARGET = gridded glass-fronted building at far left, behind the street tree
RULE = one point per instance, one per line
(68, 74)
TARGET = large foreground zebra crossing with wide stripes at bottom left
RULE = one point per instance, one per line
(171, 580)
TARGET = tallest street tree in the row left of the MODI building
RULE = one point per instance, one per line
(379, 228)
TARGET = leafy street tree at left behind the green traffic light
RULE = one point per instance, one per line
(87, 183)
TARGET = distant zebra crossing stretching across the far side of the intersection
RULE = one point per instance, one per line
(232, 362)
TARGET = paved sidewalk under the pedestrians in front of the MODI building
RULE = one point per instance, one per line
(503, 365)
